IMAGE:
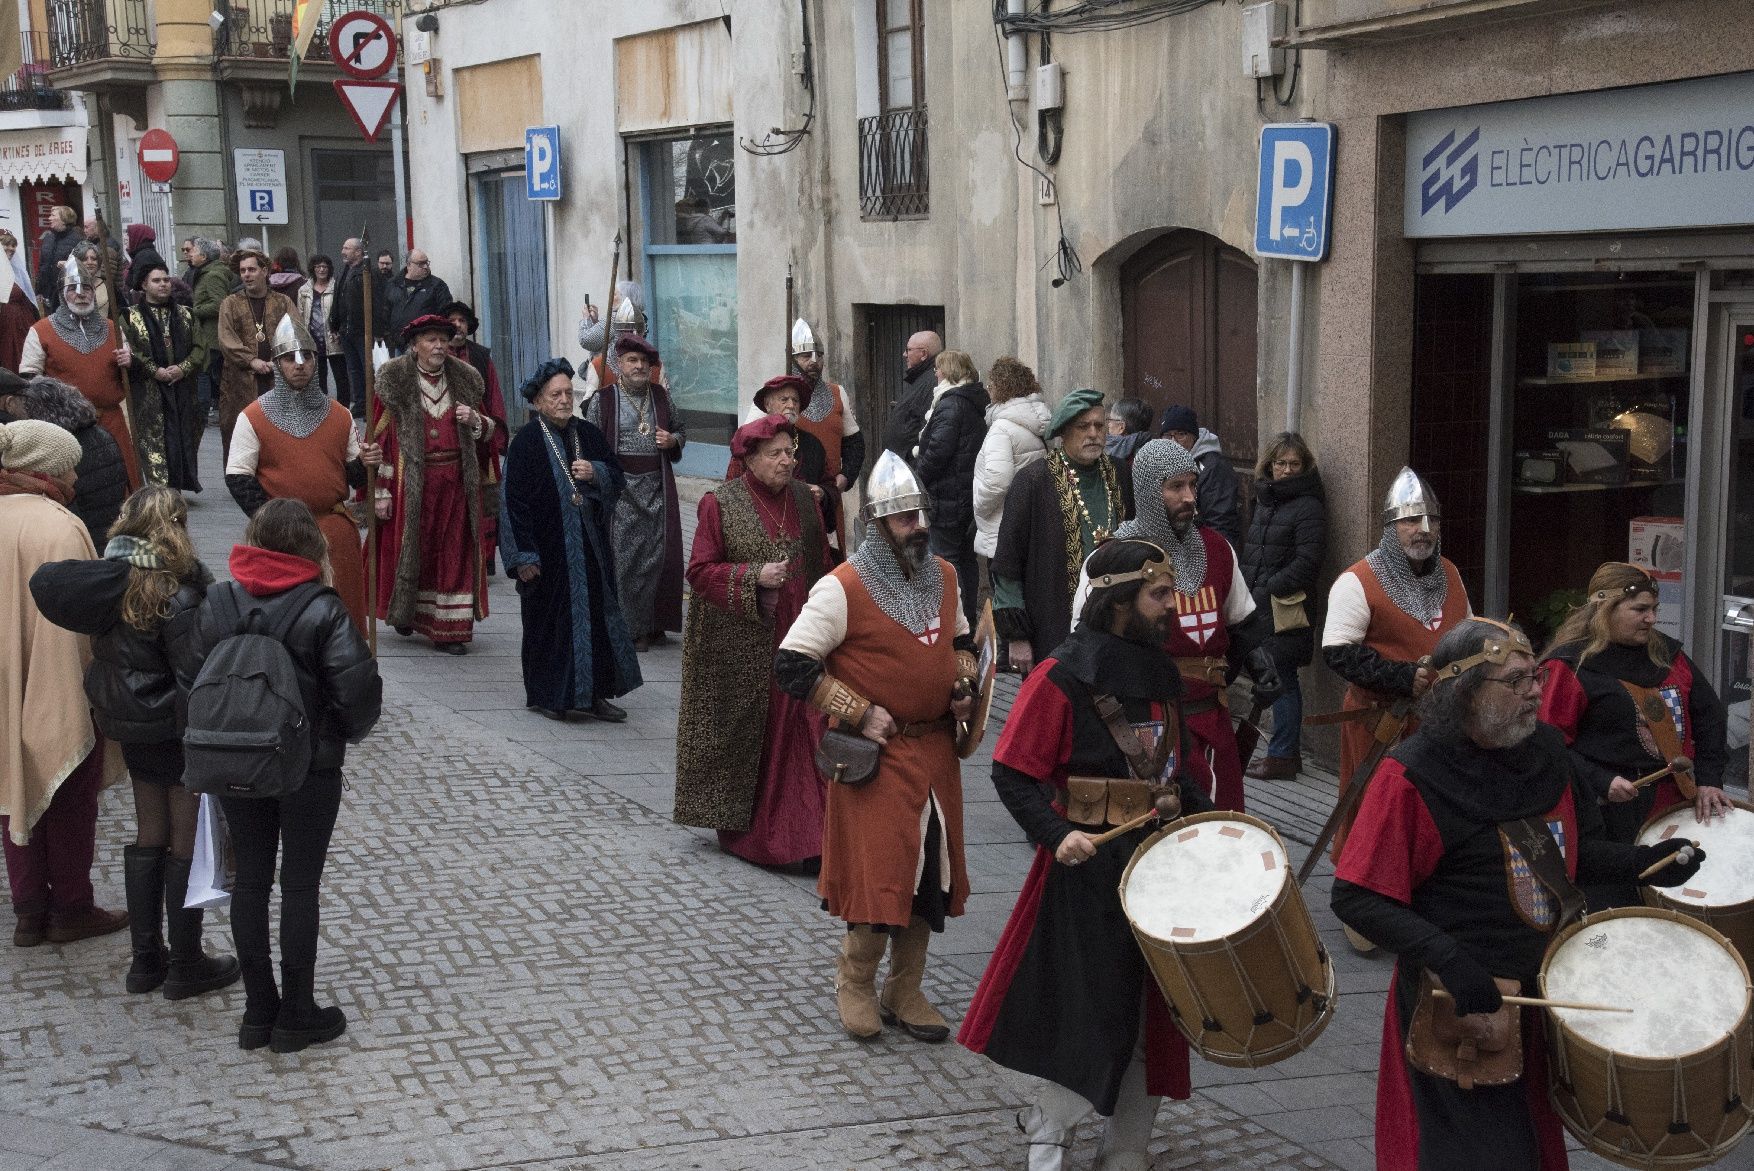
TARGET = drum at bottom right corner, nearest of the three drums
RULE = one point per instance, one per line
(1669, 1084)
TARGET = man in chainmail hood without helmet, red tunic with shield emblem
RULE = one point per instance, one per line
(1218, 628)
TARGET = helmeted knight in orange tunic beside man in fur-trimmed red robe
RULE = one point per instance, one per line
(297, 443)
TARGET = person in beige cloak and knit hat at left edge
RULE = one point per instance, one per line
(52, 758)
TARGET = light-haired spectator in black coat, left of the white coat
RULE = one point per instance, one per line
(946, 464)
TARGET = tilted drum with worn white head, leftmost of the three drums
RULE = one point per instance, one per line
(1227, 935)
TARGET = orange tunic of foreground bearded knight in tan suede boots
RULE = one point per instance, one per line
(873, 834)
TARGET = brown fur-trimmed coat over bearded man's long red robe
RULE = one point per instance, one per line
(401, 429)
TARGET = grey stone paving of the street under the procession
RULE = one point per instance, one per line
(543, 972)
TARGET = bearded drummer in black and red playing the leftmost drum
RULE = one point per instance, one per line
(1067, 995)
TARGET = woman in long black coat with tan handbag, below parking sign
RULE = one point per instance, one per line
(1288, 541)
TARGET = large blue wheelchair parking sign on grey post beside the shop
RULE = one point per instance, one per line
(1294, 206)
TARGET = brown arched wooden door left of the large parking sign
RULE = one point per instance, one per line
(1188, 311)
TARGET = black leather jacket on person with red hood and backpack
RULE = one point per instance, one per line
(338, 676)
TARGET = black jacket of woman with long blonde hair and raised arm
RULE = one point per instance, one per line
(132, 676)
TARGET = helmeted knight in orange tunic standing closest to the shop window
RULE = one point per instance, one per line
(1385, 614)
